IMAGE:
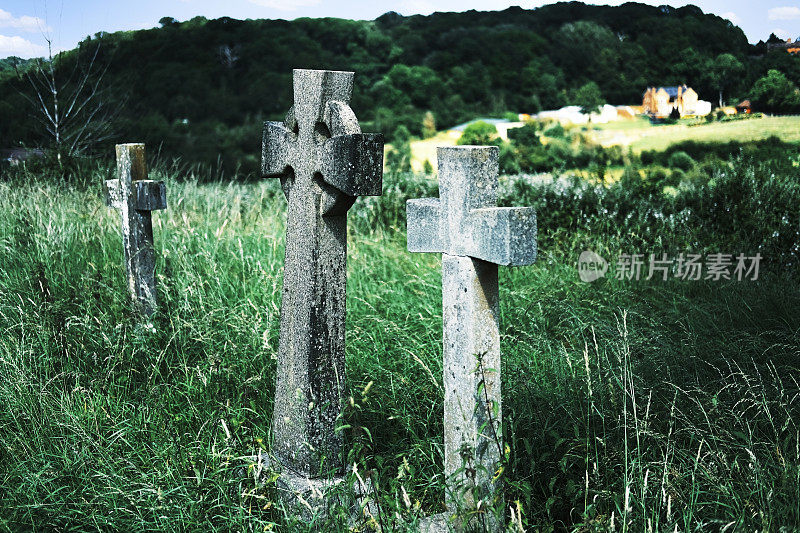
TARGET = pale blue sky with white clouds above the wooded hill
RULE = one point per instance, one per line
(27, 25)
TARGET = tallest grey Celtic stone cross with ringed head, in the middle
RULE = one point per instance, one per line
(324, 162)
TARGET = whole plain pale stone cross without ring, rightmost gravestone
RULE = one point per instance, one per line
(474, 237)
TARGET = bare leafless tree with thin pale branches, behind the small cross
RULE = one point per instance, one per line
(70, 104)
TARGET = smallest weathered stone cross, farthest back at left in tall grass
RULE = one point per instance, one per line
(135, 197)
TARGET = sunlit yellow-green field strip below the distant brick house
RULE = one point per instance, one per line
(641, 135)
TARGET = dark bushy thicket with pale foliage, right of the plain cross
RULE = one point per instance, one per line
(717, 207)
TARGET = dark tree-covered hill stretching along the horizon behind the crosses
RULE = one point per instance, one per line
(201, 88)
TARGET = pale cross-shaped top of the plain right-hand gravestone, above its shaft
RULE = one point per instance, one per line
(464, 222)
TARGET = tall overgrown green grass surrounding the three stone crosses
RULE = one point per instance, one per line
(628, 405)
